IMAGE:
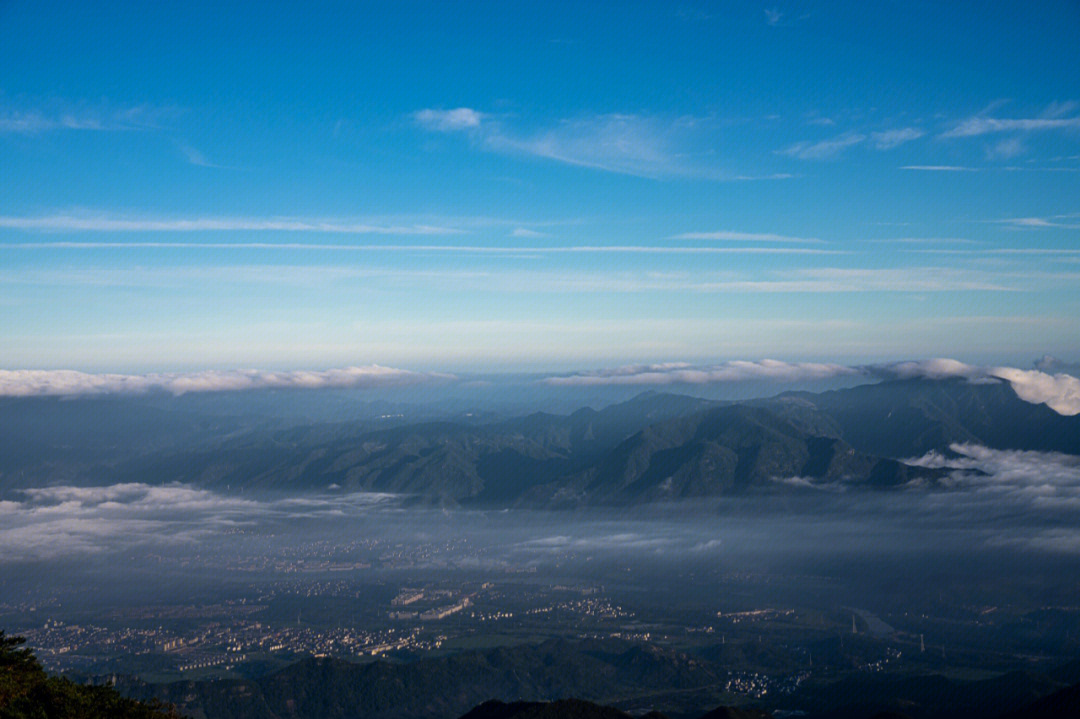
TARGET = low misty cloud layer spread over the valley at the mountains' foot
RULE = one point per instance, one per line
(1024, 500)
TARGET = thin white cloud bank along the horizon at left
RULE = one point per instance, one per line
(72, 384)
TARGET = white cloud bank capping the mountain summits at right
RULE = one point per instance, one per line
(1061, 392)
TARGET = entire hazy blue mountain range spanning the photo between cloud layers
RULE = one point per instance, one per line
(654, 447)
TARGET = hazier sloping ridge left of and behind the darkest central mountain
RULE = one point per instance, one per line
(447, 462)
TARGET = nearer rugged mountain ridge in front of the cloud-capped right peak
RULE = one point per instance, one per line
(586, 458)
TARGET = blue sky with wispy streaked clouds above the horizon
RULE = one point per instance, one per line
(536, 186)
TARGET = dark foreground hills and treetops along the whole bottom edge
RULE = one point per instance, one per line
(331, 689)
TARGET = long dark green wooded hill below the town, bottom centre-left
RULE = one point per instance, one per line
(440, 687)
